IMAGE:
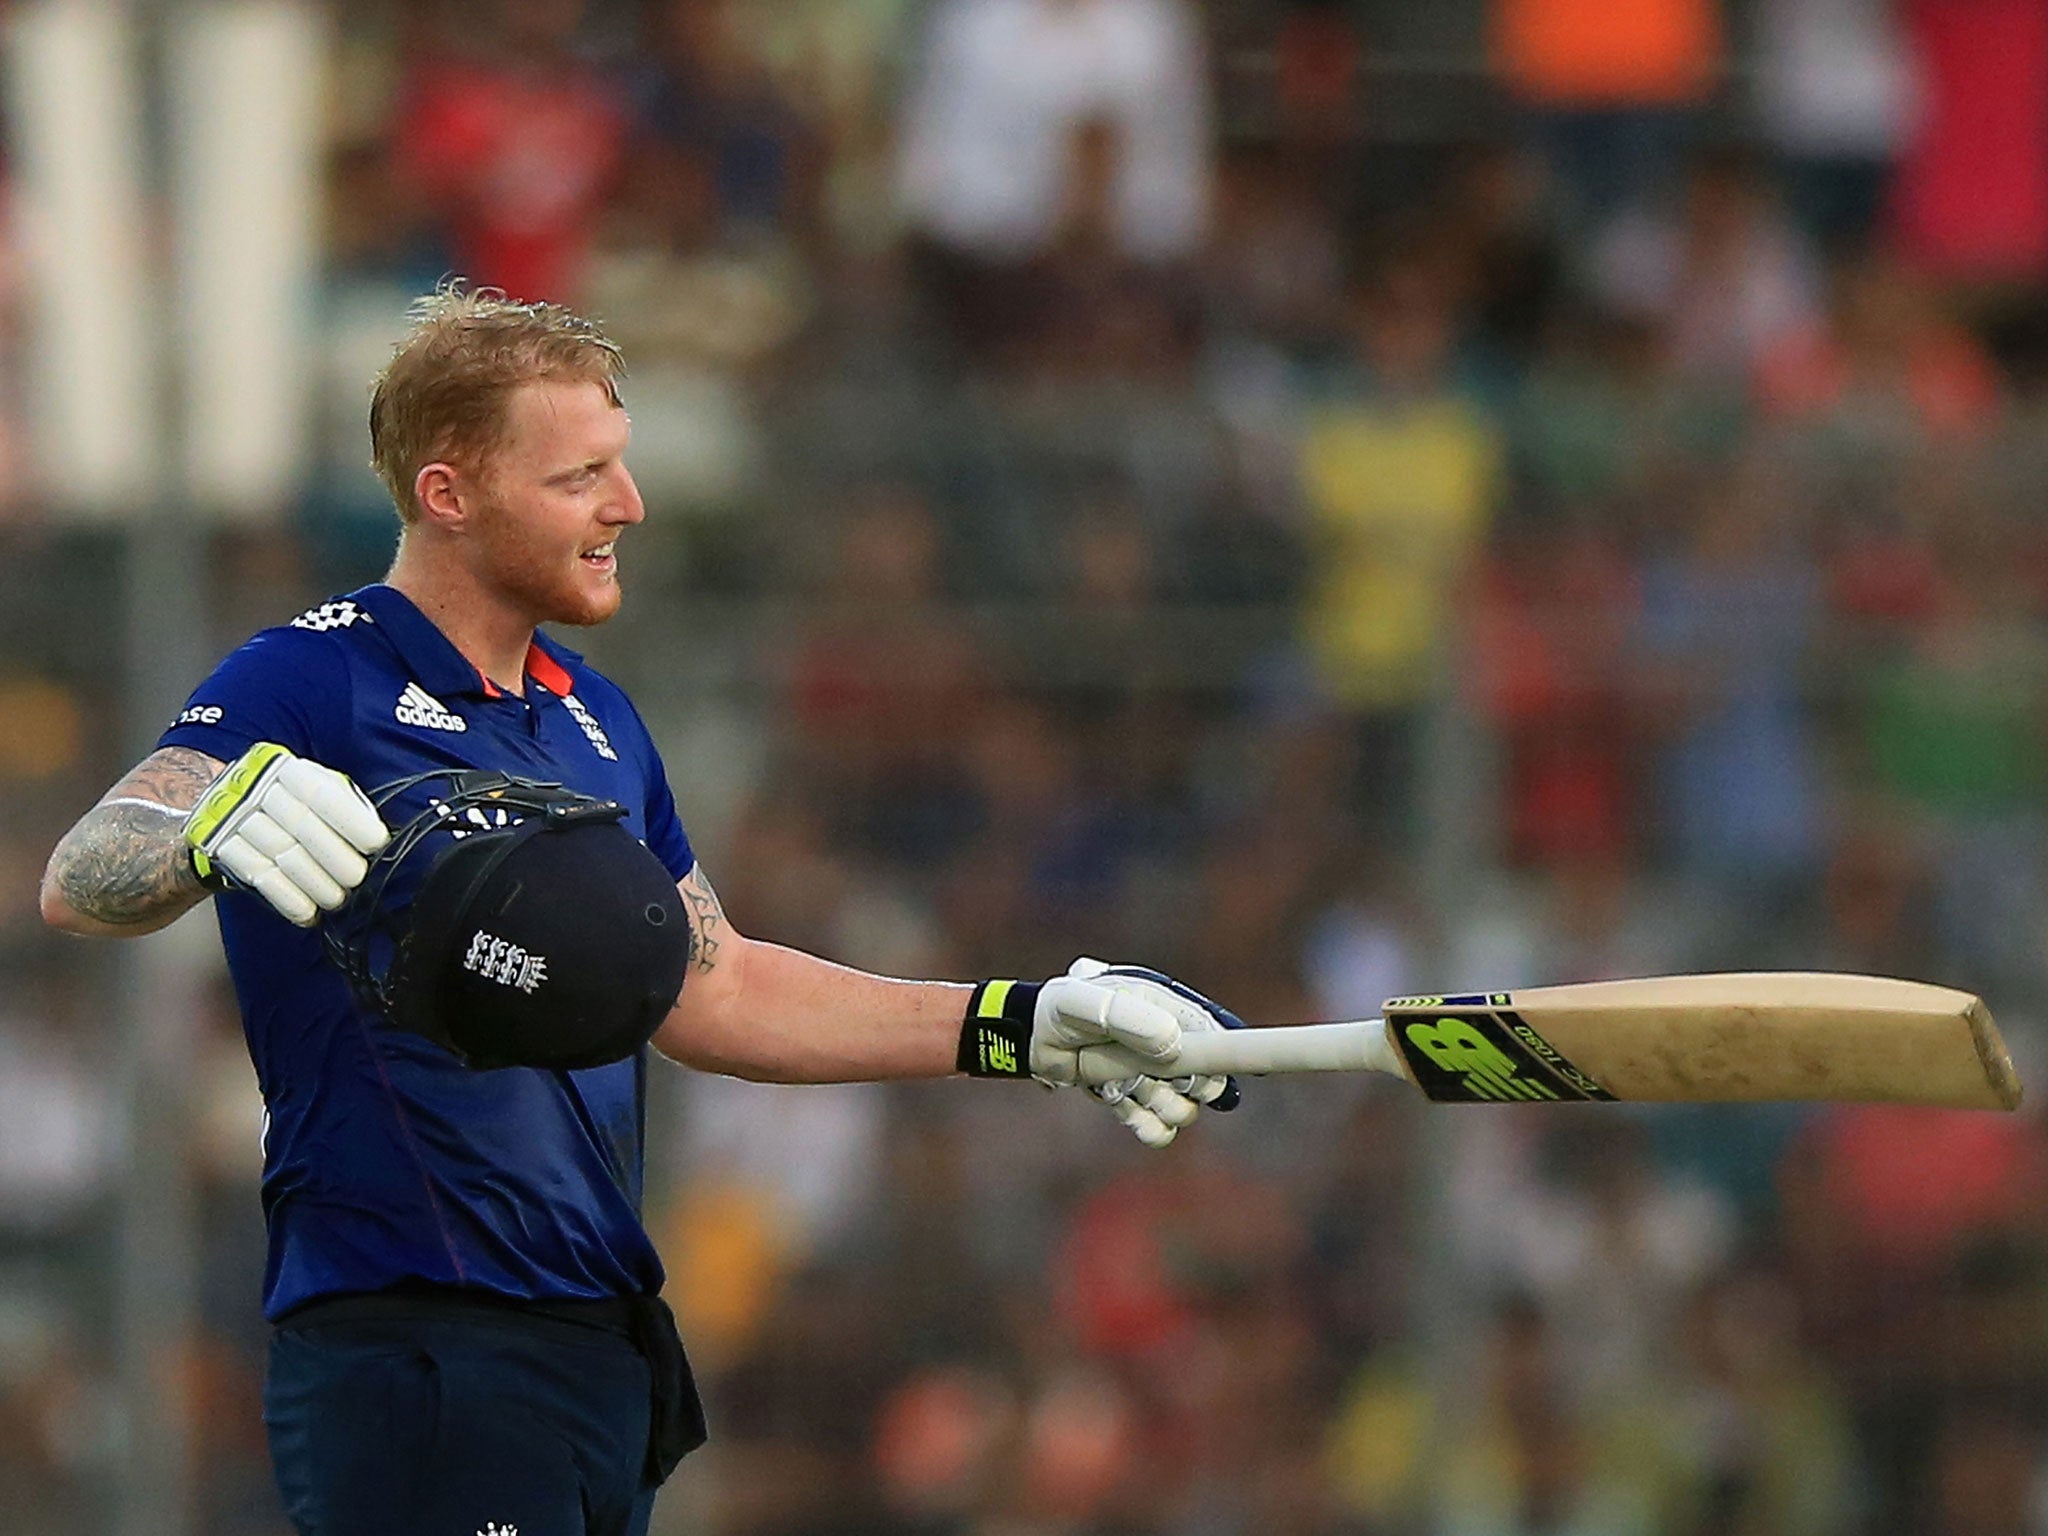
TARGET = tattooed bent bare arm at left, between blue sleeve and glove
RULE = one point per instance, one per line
(126, 859)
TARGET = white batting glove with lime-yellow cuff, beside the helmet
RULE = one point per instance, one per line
(286, 828)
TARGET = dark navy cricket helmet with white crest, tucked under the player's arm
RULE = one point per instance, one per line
(515, 923)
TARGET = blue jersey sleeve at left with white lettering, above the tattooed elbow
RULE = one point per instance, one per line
(286, 685)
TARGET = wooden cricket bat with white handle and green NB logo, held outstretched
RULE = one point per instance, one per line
(1699, 1039)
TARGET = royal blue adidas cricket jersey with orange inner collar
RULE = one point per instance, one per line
(386, 1160)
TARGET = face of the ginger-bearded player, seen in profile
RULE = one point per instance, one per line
(552, 505)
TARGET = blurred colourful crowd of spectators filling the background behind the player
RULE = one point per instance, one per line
(1328, 499)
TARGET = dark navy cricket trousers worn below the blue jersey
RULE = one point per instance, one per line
(460, 1426)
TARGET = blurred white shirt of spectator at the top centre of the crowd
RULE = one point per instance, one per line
(1007, 89)
